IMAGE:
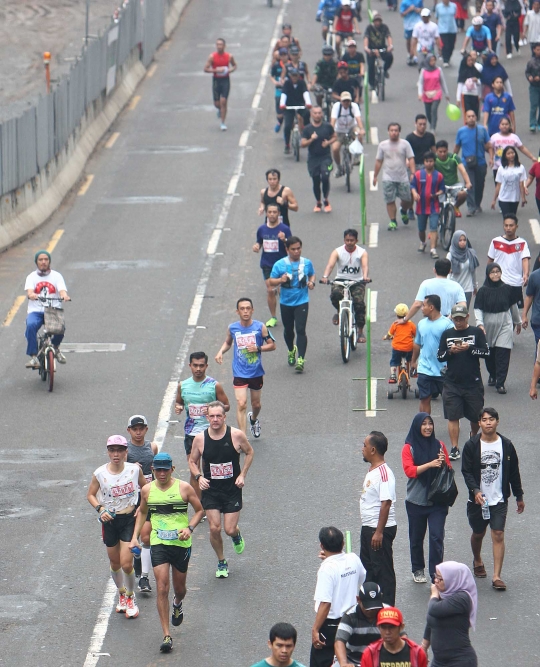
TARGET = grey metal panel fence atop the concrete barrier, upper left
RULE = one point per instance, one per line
(31, 141)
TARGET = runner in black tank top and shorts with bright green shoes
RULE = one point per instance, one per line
(222, 479)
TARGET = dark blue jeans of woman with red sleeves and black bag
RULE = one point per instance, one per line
(419, 518)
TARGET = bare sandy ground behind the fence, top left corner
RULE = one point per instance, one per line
(30, 27)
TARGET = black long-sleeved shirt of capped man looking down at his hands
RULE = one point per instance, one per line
(463, 368)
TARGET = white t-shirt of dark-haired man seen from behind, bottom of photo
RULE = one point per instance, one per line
(338, 581)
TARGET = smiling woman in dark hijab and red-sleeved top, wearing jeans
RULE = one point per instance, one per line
(421, 457)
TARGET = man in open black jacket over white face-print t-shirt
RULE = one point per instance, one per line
(490, 467)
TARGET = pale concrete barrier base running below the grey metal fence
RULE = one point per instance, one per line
(38, 199)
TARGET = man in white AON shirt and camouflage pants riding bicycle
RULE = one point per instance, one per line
(352, 264)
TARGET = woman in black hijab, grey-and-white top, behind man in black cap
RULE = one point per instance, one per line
(497, 314)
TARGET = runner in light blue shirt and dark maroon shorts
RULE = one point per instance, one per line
(250, 338)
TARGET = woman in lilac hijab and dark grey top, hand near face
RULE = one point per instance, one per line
(451, 612)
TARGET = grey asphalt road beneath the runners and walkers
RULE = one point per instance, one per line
(133, 267)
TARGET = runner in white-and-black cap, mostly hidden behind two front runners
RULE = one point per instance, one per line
(142, 451)
